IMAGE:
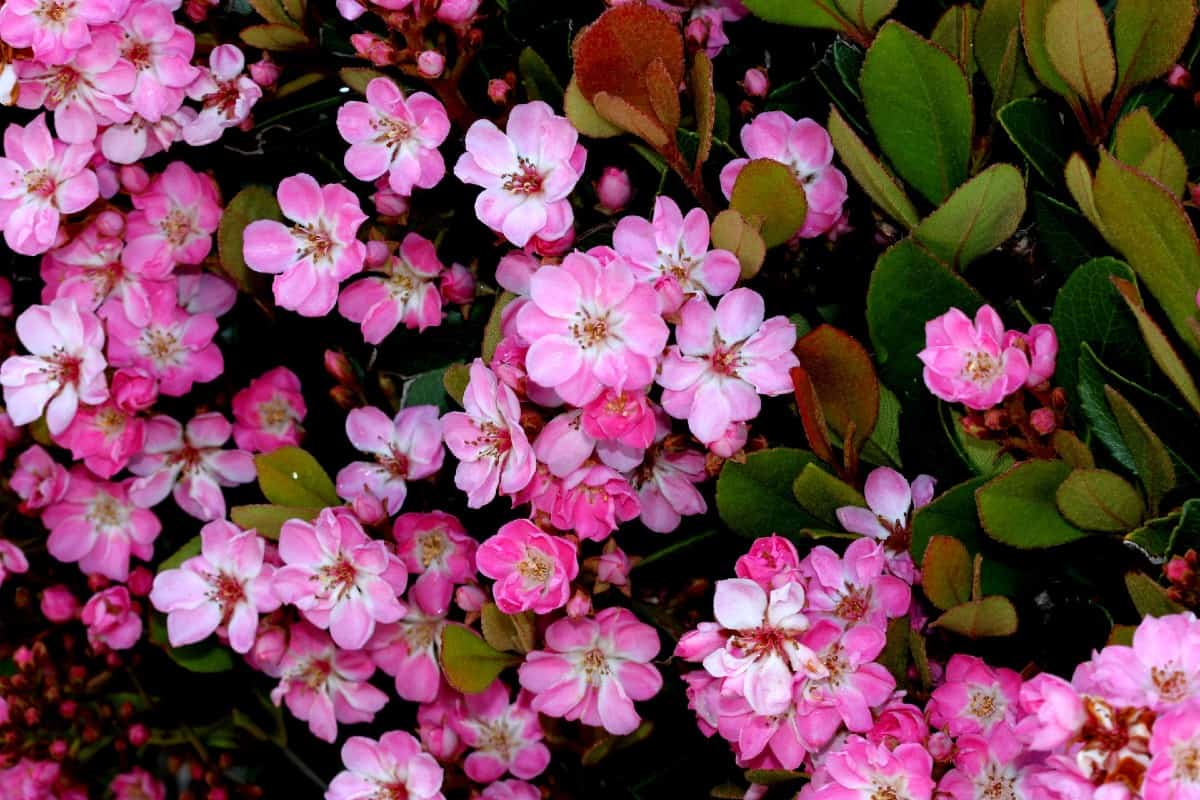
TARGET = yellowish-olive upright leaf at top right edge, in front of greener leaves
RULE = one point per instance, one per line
(1077, 40)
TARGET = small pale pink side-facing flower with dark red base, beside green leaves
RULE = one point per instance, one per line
(892, 501)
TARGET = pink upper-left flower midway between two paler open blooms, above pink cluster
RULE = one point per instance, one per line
(173, 222)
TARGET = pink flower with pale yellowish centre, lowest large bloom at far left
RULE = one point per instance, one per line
(100, 528)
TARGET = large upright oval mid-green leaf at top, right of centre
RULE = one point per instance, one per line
(920, 106)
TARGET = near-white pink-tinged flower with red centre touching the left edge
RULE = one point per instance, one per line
(65, 368)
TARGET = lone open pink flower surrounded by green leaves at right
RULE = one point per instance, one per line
(973, 364)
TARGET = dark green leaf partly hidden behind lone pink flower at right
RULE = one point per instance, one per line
(910, 287)
